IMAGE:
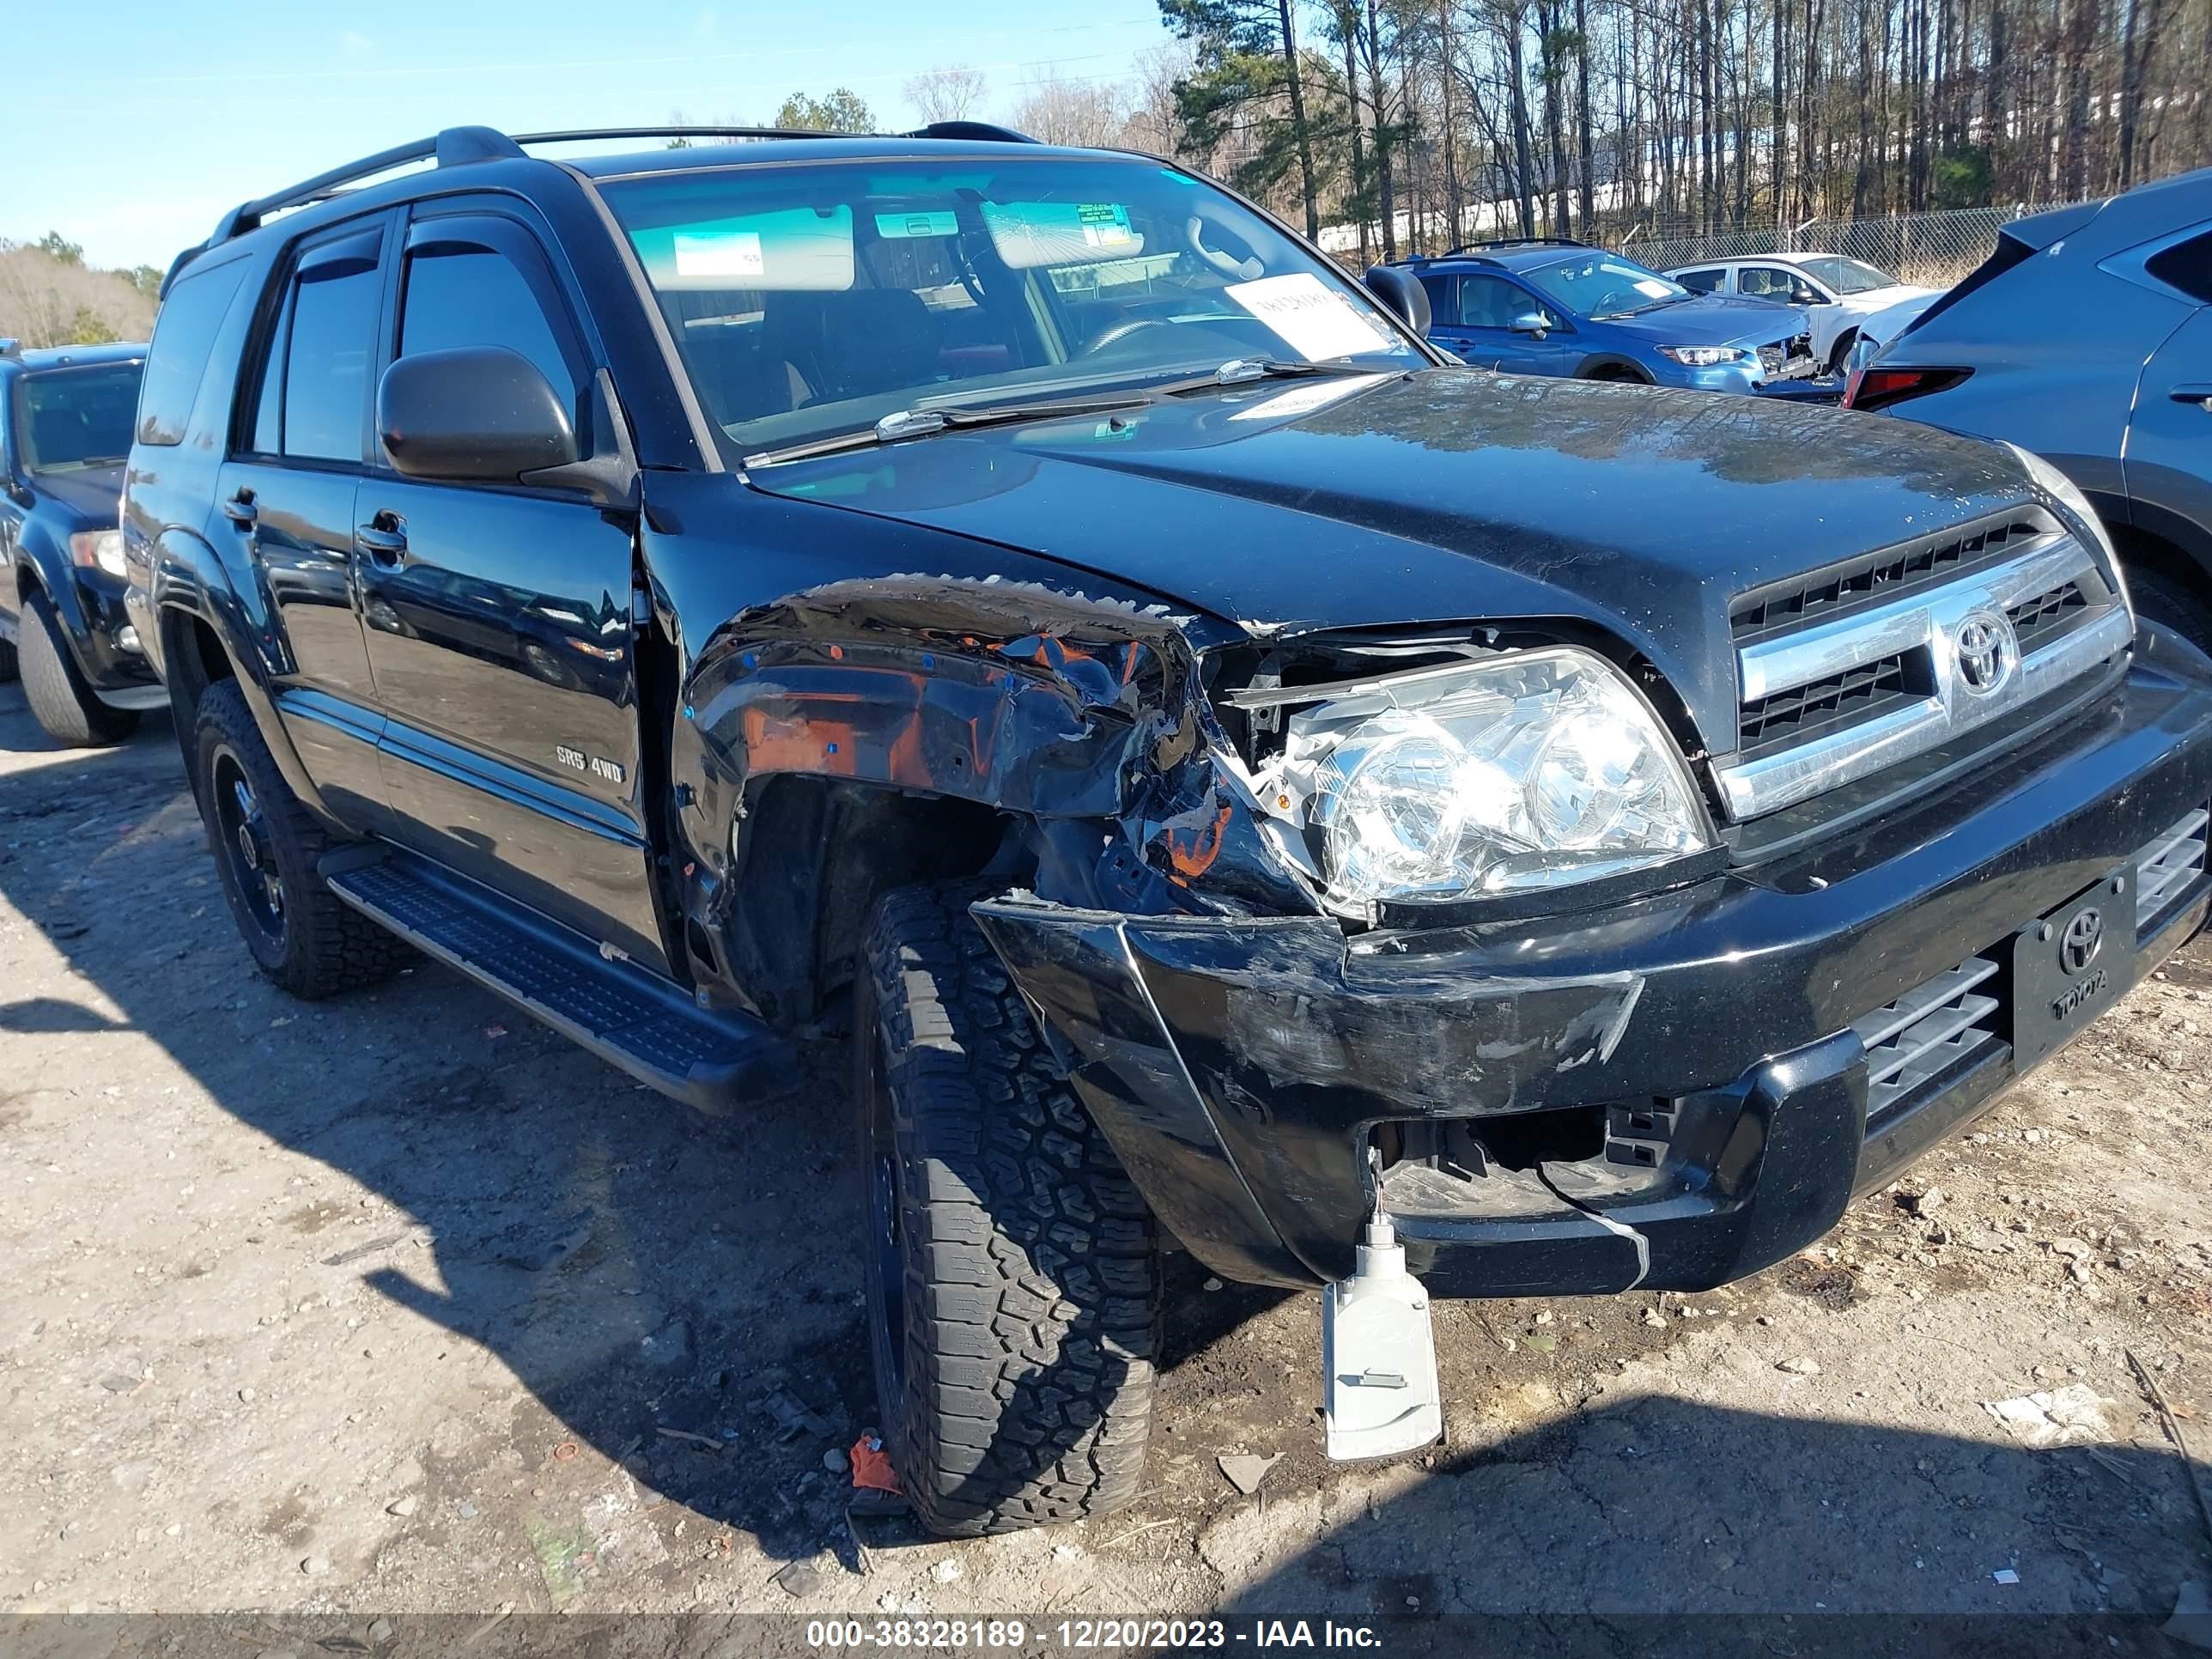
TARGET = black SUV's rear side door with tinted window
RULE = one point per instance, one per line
(286, 499)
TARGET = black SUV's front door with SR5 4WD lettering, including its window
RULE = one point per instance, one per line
(499, 618)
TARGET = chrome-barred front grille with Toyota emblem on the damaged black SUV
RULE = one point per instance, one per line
(1861, 669)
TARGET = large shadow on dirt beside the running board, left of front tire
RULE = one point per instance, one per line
(682, 1295)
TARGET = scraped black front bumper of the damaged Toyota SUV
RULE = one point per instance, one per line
(1251, 1072)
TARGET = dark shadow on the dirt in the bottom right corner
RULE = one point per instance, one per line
(1665, 1505)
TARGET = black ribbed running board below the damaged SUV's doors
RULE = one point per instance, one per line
(620, 1012)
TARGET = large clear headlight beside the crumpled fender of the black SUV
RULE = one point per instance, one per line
(1503, 775)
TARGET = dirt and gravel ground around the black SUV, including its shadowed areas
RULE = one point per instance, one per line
(401, 1304)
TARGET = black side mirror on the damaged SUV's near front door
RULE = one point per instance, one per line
(479, 415)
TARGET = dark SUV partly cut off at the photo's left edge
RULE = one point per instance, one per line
(65, 430)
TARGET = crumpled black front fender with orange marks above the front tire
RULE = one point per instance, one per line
(881, 733)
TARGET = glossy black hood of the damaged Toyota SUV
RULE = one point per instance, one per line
(1439, 499)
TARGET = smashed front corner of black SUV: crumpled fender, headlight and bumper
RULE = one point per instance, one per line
(1561, 1036)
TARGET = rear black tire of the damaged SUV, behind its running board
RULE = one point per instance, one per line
(324, 946)
